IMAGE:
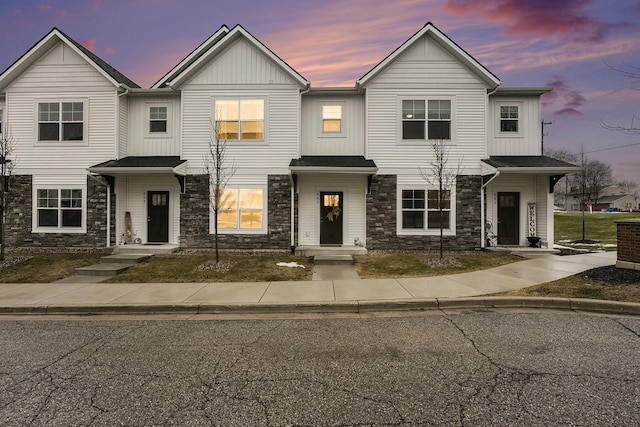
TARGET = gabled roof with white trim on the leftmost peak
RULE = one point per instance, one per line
(49, 41)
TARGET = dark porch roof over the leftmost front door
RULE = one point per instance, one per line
(142, 165)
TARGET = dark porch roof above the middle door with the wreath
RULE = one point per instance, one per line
(335, 164)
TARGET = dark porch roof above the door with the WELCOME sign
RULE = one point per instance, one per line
(541, 165)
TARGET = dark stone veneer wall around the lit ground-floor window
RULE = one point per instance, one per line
(194, 217)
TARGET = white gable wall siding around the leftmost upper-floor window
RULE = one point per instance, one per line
(61, 75)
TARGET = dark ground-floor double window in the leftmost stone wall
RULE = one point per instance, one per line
(59, 208)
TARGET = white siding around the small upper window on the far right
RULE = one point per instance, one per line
(528, 140)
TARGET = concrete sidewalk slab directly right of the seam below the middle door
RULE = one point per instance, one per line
(351, 290)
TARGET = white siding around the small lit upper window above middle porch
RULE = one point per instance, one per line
(350, 142)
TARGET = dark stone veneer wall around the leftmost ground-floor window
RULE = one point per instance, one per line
(19, 215)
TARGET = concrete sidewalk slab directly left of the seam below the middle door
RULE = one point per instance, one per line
(286, 292)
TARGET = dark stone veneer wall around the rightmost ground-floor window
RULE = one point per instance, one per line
(382, 214)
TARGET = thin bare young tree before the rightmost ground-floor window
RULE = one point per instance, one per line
(439, 174)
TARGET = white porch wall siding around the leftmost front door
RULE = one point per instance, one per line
(131, 196)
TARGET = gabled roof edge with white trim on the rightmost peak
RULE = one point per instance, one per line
(449, 45)
